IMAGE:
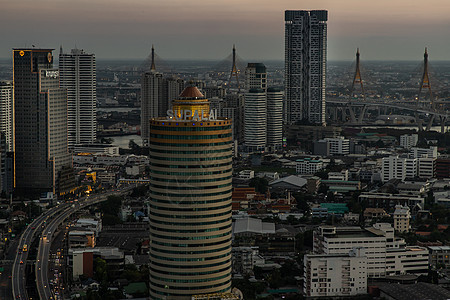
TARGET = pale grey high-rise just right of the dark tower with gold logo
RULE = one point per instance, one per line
(77, 71)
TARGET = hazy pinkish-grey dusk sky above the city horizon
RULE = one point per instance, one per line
(207, 29)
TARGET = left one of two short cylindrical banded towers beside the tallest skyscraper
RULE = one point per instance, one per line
(255, 120)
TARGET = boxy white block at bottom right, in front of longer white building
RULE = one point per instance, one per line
(335, 275)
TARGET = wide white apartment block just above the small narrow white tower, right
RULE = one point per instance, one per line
(396, 167)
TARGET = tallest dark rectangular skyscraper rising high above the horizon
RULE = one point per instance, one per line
(305, 65)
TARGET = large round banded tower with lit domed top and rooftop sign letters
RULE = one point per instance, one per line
(190, 200)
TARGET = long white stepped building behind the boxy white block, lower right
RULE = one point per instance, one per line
(386, 254)
